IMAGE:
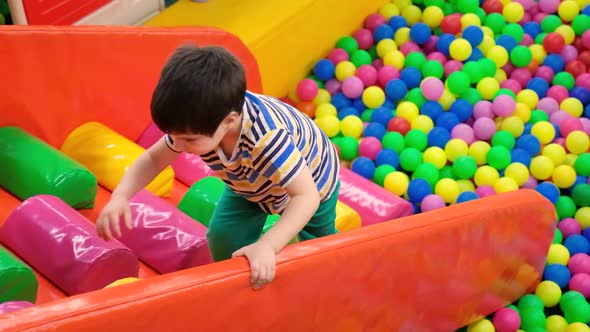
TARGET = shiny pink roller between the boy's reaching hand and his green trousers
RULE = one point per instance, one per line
(164, 237)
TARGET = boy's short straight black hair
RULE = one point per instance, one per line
(198, 88)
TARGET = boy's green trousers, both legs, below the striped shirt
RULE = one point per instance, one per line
(238, 222)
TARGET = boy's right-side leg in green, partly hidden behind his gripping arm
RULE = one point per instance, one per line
(323, 221)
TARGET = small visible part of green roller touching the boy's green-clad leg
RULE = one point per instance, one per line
(201, 198)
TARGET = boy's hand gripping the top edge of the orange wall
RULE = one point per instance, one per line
(262, 262)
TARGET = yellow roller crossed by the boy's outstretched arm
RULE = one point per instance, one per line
(108, 155)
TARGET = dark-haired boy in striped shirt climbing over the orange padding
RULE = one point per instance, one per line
(273, 158)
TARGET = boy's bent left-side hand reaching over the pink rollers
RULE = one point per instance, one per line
(110, 218)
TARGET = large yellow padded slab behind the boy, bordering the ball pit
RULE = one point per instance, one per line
(287, 37)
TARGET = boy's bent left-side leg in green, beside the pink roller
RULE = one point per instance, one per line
(235, 223)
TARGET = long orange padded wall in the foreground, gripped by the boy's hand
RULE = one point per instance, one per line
(433, 271)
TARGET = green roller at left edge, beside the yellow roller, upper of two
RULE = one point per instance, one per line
(31, 167)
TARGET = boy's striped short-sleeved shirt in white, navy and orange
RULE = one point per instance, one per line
(276, 142)
